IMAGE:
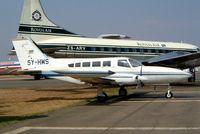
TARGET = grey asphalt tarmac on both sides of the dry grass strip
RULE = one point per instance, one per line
(138, 113)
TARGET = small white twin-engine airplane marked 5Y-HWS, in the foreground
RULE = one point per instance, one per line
(120, 71)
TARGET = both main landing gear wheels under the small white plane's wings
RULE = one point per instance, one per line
(103, 97)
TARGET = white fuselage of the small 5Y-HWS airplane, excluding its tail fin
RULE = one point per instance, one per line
(120, 71)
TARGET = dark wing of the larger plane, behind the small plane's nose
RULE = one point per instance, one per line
(177, 59)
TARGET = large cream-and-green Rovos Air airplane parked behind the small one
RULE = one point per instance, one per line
(58, 42)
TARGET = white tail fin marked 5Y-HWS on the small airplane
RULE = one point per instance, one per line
(30, 56)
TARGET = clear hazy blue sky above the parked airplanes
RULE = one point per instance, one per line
(161, 20)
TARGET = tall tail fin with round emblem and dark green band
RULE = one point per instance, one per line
(36, 25)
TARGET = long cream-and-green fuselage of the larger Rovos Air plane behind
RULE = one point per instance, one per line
(83, 47)
